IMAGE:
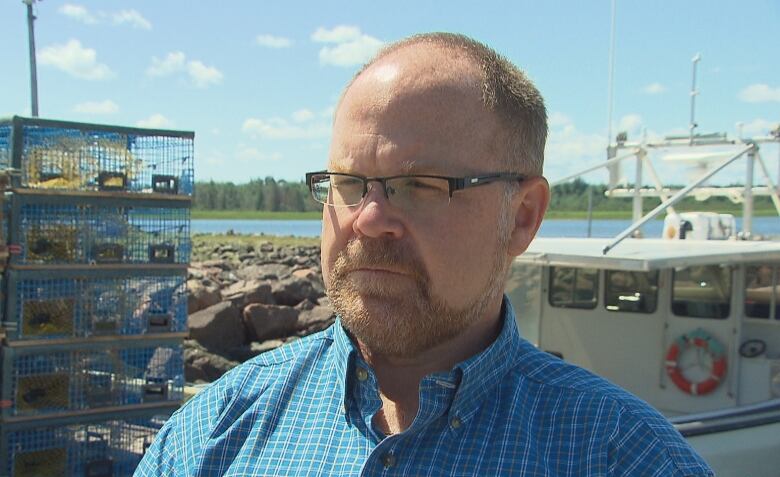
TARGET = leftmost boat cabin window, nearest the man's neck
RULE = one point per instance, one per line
(574, 287)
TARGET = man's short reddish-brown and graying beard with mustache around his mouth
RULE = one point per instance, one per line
(402, 325)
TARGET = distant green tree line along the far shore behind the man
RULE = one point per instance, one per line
(274, 195)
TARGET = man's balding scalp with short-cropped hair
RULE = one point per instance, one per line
(457, 64)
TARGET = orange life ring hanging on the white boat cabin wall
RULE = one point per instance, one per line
(700, 339)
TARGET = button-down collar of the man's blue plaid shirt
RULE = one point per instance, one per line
(474, 378)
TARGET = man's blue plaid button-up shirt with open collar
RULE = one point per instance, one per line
(307, 408)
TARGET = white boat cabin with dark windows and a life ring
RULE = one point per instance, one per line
(687, 325)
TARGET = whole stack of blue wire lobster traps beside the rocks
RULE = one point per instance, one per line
(96, 242)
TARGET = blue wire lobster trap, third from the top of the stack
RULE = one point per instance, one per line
(48, 304)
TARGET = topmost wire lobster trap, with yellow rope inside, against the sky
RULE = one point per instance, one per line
(71, 156)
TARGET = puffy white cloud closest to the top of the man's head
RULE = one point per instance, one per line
(351, 47)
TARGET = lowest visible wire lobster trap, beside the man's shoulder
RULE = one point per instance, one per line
(101, 446)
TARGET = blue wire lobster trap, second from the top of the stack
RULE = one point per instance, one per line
(49, 229)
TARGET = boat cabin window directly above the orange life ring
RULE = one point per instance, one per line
(702, 291)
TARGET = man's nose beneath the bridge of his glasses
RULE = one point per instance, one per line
(376, 217)
